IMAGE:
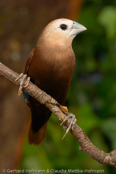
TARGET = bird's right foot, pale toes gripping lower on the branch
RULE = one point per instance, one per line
(73, 121)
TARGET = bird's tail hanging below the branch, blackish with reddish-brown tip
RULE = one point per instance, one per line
(38, 126)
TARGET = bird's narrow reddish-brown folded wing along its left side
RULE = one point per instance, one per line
(29, 60)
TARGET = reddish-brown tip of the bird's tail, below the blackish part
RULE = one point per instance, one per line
(37, 137)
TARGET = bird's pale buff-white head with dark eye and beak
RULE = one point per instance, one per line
(62, 31)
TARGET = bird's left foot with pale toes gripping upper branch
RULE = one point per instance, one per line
(24, 77)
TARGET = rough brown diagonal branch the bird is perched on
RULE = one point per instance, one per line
(86, 145)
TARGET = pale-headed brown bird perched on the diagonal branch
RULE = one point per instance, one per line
(50, 66)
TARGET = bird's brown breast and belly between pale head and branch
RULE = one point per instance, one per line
(52, 74)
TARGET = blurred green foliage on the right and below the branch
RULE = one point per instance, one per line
(92, 96)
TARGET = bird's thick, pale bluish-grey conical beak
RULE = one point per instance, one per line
(76, 29)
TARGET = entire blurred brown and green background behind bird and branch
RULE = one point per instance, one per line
(92, 95)
